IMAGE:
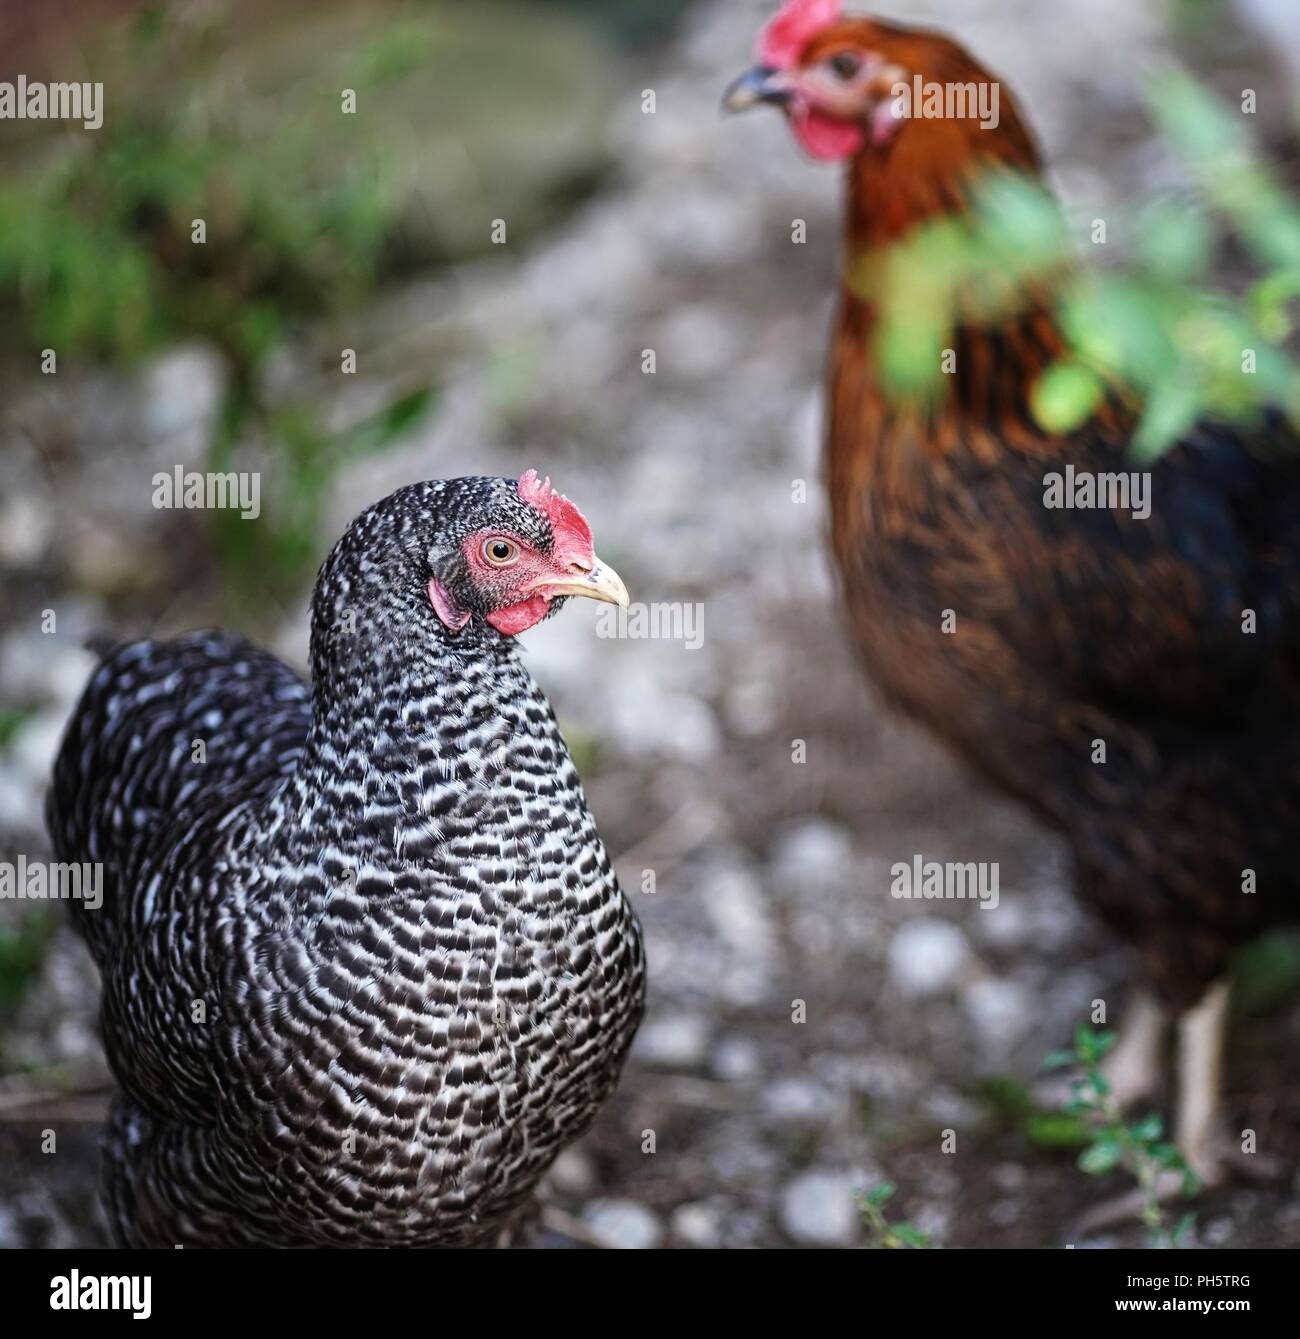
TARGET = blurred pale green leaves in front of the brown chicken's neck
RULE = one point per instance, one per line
(1160, 331)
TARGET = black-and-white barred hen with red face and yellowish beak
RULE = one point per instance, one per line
(366, 965)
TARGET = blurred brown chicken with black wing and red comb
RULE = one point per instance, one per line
(1132, 678)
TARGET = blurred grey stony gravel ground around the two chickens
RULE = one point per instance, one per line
(808, 1036)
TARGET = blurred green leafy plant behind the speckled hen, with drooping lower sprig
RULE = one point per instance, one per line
(98, 258)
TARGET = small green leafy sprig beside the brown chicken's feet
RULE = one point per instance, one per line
(1116, 1144)
